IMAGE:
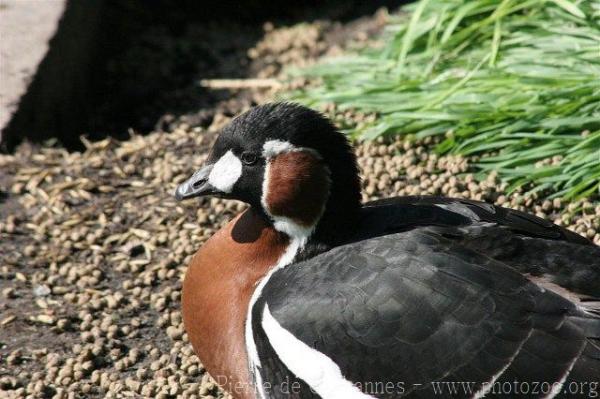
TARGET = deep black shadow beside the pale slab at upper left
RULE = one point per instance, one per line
(115, 65)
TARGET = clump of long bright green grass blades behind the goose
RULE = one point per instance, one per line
(516, 82)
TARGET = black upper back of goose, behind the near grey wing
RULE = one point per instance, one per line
(532, 245)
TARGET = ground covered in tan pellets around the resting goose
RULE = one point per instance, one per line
(93, 246)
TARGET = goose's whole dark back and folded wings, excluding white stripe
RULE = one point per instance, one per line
(438, 289)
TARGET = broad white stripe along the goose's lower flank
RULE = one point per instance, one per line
(316, 369)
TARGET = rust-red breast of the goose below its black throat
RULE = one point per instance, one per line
(216, 292)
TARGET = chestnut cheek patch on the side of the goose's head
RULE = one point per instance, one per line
(297, 187)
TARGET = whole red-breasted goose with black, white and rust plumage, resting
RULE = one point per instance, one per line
(310, 293)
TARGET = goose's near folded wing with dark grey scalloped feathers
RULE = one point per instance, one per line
(418, 307)
